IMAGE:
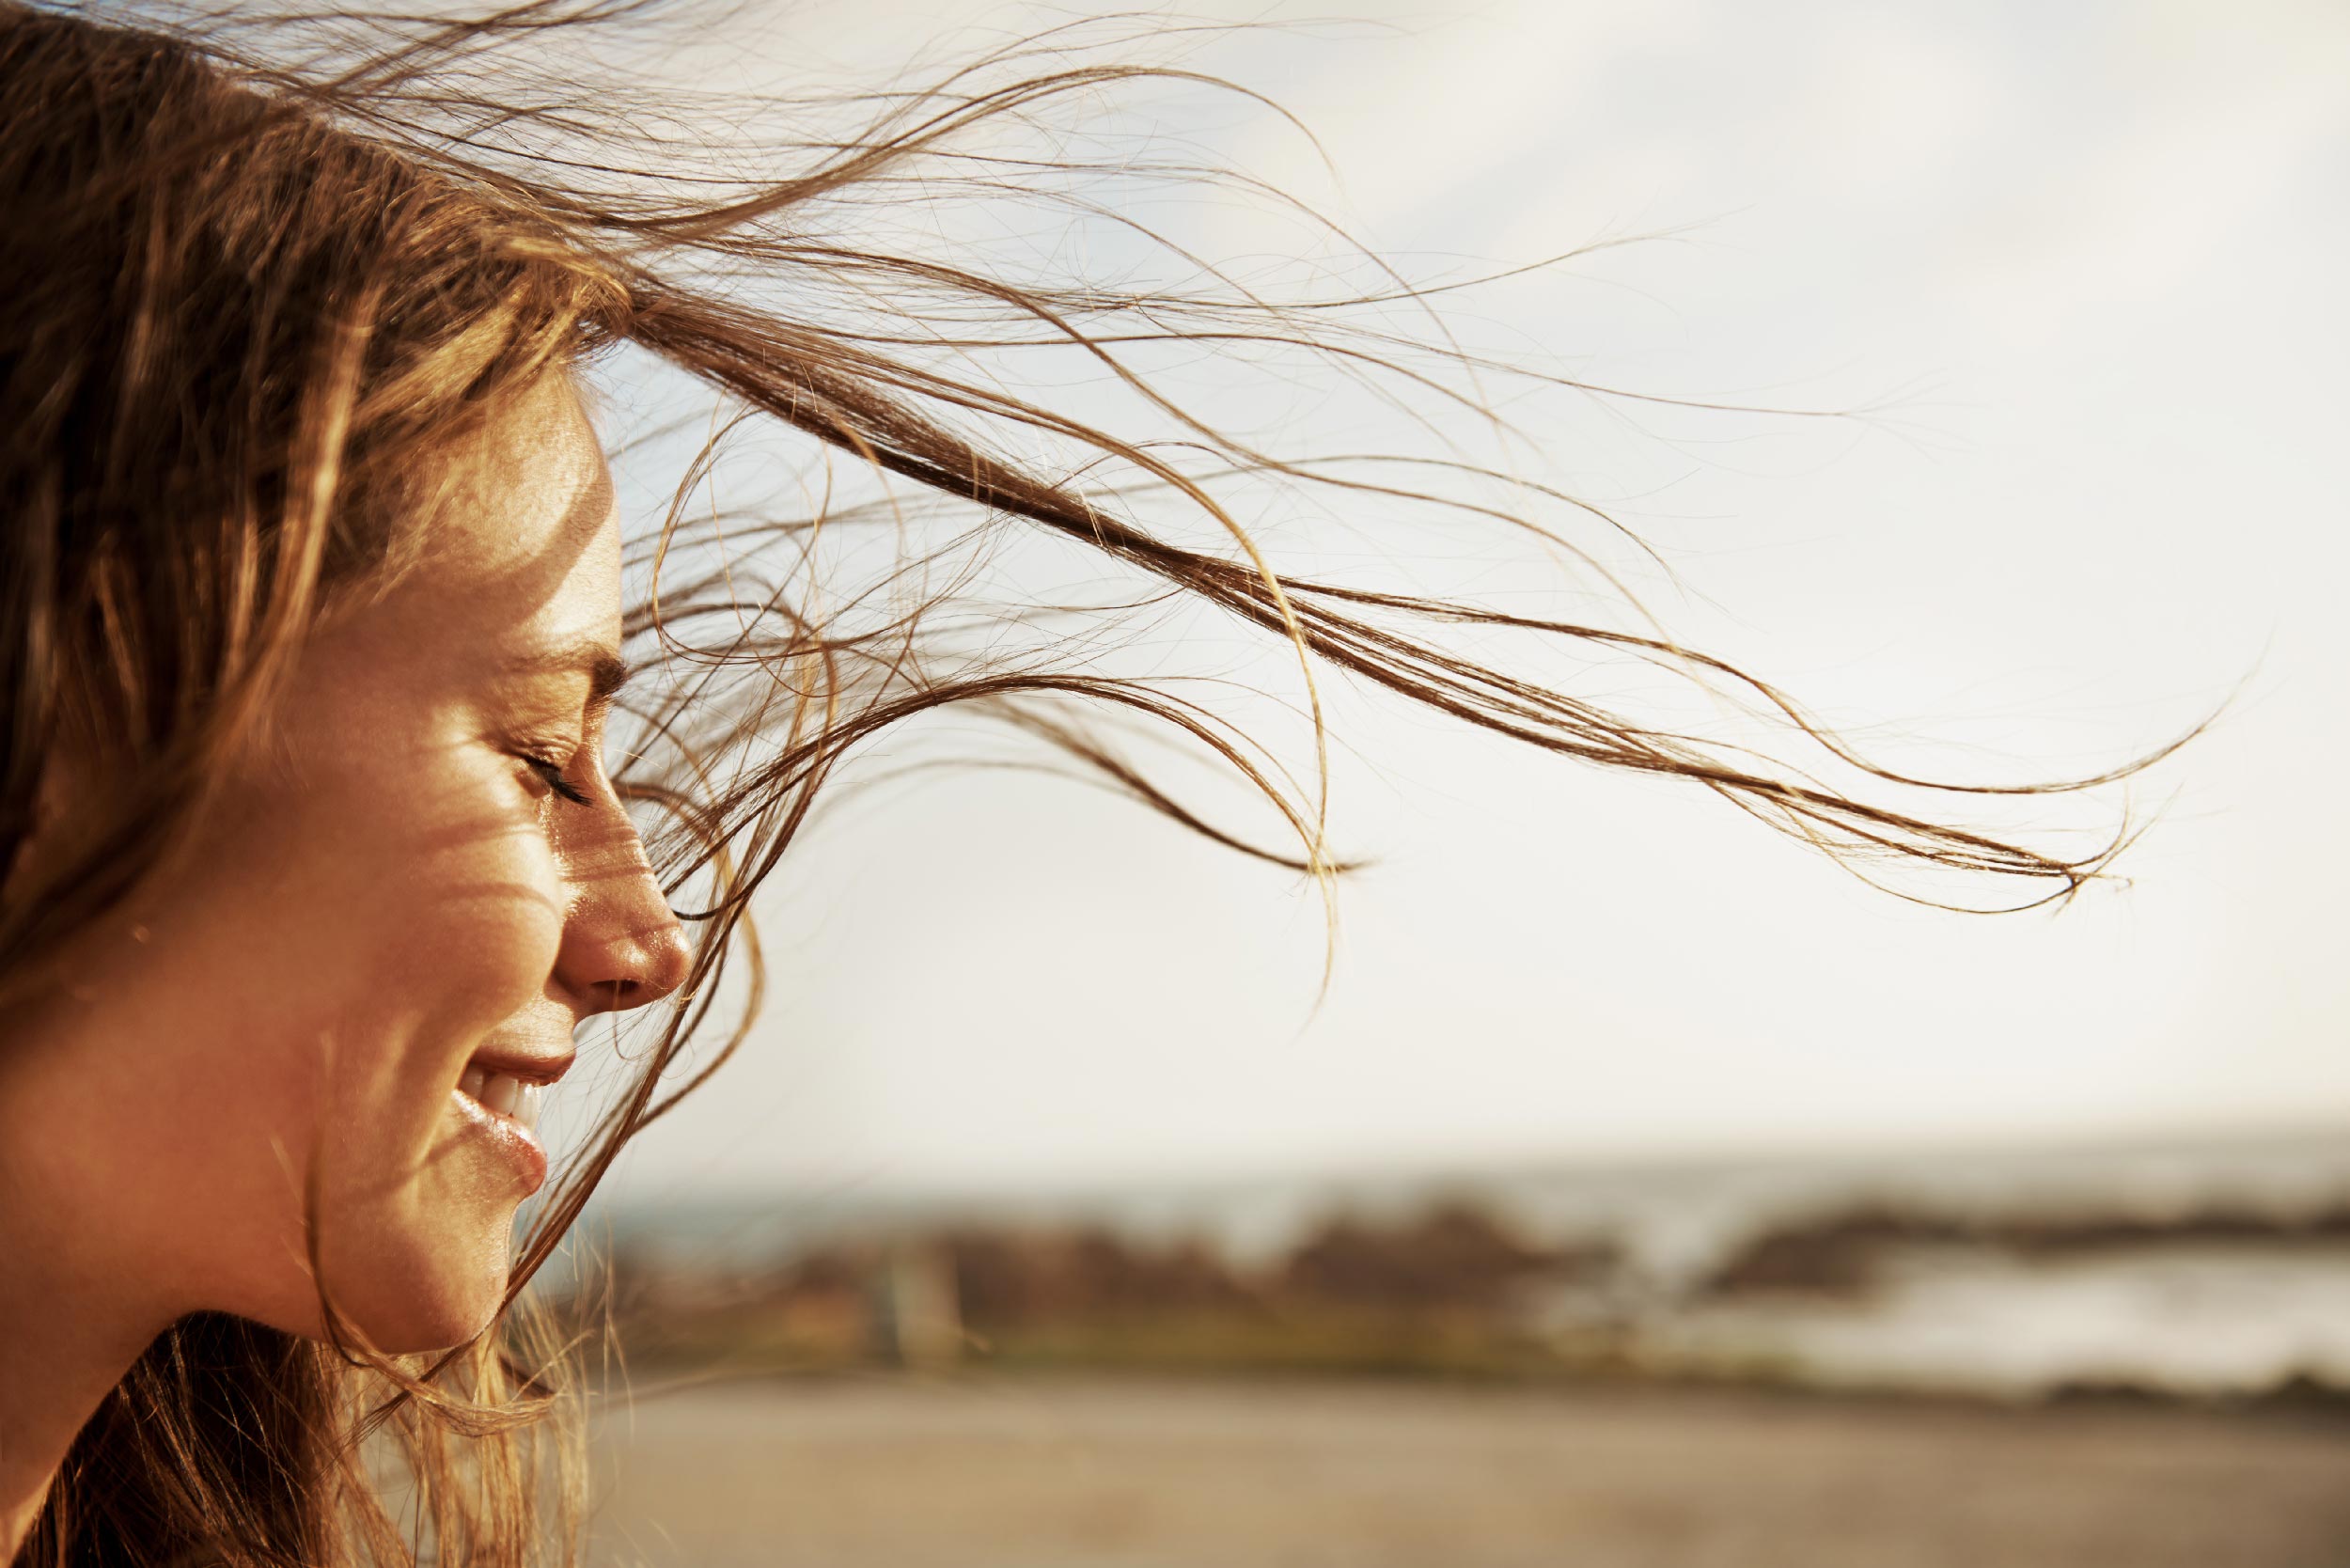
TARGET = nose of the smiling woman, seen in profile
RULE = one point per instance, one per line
(622, 942)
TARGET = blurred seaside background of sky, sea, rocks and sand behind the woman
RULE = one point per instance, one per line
(1644, 1188)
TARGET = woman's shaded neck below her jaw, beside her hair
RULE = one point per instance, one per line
(67, 1339)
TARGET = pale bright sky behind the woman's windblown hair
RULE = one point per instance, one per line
(2102, 246)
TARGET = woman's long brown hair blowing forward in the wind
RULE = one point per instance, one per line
(267, 279)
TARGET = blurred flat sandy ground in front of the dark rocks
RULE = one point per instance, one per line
(1134, 1475)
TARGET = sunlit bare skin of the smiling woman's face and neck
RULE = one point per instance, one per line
(389, 890)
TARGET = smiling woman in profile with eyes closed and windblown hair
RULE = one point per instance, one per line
(314, 626)
